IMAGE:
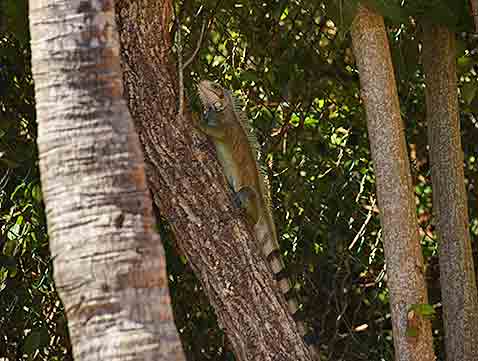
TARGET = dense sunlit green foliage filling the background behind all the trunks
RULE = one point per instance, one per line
(292, 64)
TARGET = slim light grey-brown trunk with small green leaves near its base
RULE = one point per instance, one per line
(394, 187)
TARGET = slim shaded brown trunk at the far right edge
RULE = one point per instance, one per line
(457, 275)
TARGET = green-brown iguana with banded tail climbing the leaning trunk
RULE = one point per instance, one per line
(237, 150)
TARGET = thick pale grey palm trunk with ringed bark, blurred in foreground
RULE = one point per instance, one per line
(109, 264)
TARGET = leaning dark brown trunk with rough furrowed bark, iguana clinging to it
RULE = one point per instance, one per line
(191, 193)
